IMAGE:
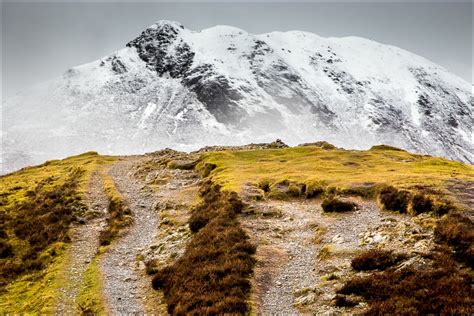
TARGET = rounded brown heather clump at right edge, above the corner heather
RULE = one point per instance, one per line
(457, 231)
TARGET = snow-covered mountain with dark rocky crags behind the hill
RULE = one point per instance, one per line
(173, 87)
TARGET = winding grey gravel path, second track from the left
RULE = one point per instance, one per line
(125, 283)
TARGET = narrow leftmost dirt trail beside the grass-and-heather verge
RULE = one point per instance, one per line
(84, 247)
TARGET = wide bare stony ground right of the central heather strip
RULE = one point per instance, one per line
(300, 246)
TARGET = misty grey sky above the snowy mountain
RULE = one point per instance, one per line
(40, 40)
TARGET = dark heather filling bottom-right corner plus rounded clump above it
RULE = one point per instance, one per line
(443, 287)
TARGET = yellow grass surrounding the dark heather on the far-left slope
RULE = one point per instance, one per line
(36, 292)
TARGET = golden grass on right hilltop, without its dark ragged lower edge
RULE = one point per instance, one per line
(332, 168)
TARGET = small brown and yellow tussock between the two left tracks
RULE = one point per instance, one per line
(119, 214)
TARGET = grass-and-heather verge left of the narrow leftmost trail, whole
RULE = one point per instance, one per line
(37, 206)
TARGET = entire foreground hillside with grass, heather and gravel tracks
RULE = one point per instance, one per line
(261, 228)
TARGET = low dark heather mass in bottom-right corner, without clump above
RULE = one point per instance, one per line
(440, 289)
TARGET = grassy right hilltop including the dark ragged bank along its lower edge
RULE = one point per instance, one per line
(322, 168)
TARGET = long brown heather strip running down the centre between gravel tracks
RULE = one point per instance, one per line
(212, 276)
